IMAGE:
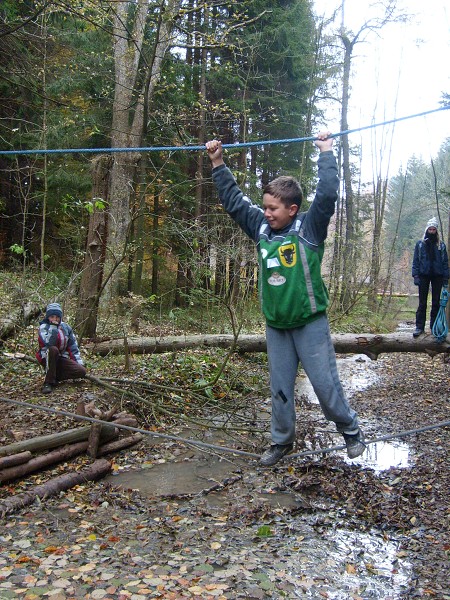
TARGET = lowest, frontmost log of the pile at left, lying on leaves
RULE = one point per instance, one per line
(96, 470)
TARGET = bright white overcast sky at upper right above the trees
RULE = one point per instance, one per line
(402, 72)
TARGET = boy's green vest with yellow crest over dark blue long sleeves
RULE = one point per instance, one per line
(292, 291)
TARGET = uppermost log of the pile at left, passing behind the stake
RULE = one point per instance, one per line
(53, 440)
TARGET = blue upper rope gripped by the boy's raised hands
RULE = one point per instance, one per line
(202, 147)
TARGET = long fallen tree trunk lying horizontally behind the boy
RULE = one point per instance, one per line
(344, 343)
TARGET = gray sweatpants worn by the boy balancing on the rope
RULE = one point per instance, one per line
(312, 346)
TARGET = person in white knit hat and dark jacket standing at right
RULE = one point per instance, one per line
(430, 266)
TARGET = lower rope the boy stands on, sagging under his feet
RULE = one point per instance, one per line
(191, 442)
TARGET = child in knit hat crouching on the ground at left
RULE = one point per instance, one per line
(58, 349)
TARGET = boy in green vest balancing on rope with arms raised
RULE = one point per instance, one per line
(294, 298)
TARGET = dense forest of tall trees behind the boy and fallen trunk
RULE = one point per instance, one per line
(142, 231)
